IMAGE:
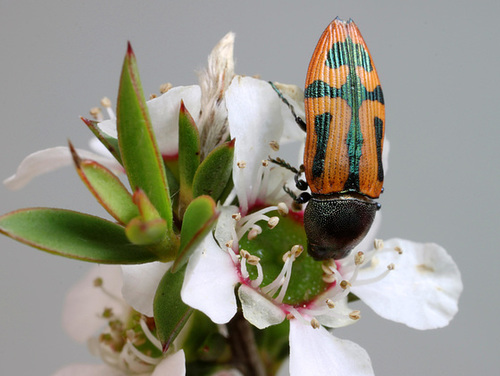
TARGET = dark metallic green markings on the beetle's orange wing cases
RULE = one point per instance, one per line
(354, 93)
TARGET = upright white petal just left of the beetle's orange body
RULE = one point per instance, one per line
(255, 119)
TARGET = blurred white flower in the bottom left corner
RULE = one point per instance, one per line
(96, 303)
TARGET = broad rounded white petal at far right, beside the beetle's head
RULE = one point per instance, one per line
(421, 292)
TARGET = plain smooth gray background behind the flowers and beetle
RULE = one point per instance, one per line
(439, 66)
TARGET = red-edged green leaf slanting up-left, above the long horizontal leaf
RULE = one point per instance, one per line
(106, 187)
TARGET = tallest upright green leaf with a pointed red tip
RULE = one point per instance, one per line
(138, 147)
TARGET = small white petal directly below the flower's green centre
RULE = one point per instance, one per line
(258, 310)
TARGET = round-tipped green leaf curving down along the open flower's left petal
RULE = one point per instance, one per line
(199, 219)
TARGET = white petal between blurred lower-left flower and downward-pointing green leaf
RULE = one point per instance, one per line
(140, 283)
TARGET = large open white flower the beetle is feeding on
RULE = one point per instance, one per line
(415, 284)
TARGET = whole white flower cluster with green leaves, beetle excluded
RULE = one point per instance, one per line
(183, 302)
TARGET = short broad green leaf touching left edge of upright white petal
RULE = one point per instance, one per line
(214, 172)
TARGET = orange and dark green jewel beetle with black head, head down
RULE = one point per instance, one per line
(345, 124)
